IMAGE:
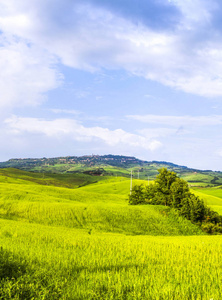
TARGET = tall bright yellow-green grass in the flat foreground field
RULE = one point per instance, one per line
(73, 264)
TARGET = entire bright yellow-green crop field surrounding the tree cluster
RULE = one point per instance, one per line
(88, 243)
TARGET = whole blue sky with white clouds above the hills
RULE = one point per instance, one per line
(126, 77)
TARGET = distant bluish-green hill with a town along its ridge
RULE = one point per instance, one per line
(112, 165)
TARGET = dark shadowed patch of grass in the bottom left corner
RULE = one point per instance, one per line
(19, 281)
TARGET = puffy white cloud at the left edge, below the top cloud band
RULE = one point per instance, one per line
(26, 73)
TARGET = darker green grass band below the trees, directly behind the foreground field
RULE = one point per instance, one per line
(143, 220)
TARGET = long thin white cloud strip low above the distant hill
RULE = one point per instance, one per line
(69, 128)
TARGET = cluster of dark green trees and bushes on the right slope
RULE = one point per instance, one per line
(170, 190)
